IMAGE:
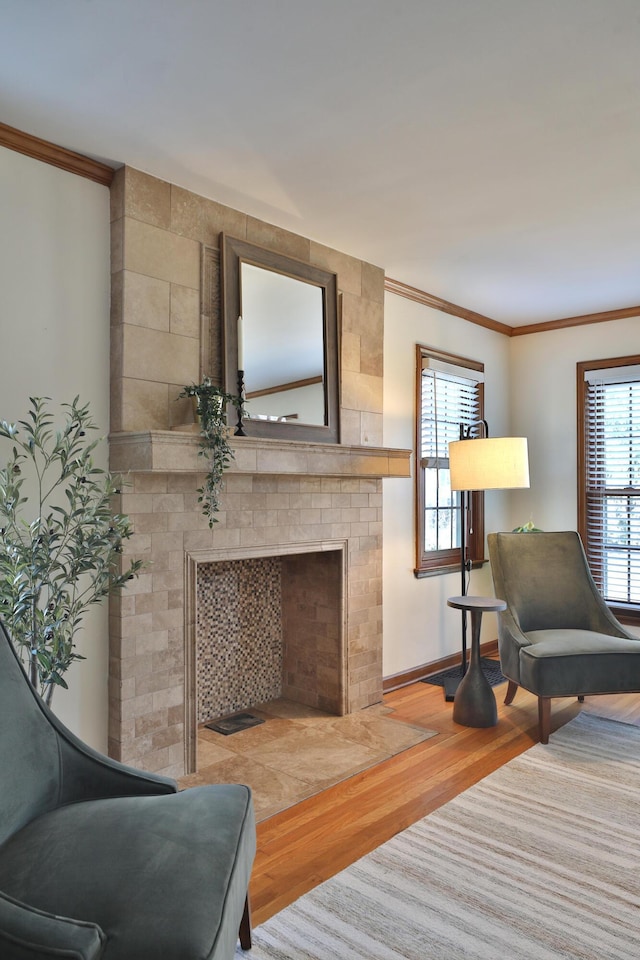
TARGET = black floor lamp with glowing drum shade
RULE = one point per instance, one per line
(482, 463)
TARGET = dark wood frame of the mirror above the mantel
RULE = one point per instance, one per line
(233, 253)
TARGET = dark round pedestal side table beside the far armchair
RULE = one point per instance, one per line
(475, 703)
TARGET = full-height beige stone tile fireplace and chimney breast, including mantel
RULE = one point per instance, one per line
(311, 512)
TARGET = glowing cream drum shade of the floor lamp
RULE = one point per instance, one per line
(494, 463)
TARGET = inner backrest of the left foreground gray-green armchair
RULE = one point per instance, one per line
(29, 752)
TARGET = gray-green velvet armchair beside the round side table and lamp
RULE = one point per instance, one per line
(557, 637)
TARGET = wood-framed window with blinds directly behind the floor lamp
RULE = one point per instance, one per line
(449, 393)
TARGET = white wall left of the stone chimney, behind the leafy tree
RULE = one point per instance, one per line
(54, 311)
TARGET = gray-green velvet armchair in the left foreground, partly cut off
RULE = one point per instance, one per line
(98, 860)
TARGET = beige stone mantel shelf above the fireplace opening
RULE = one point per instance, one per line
(175, 451)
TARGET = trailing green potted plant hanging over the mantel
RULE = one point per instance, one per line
(211, 410)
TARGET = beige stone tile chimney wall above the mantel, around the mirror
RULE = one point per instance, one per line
(159, 325)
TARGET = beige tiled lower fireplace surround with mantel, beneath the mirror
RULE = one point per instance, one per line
(321, 522)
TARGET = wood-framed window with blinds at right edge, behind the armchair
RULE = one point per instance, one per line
(609, 478)
